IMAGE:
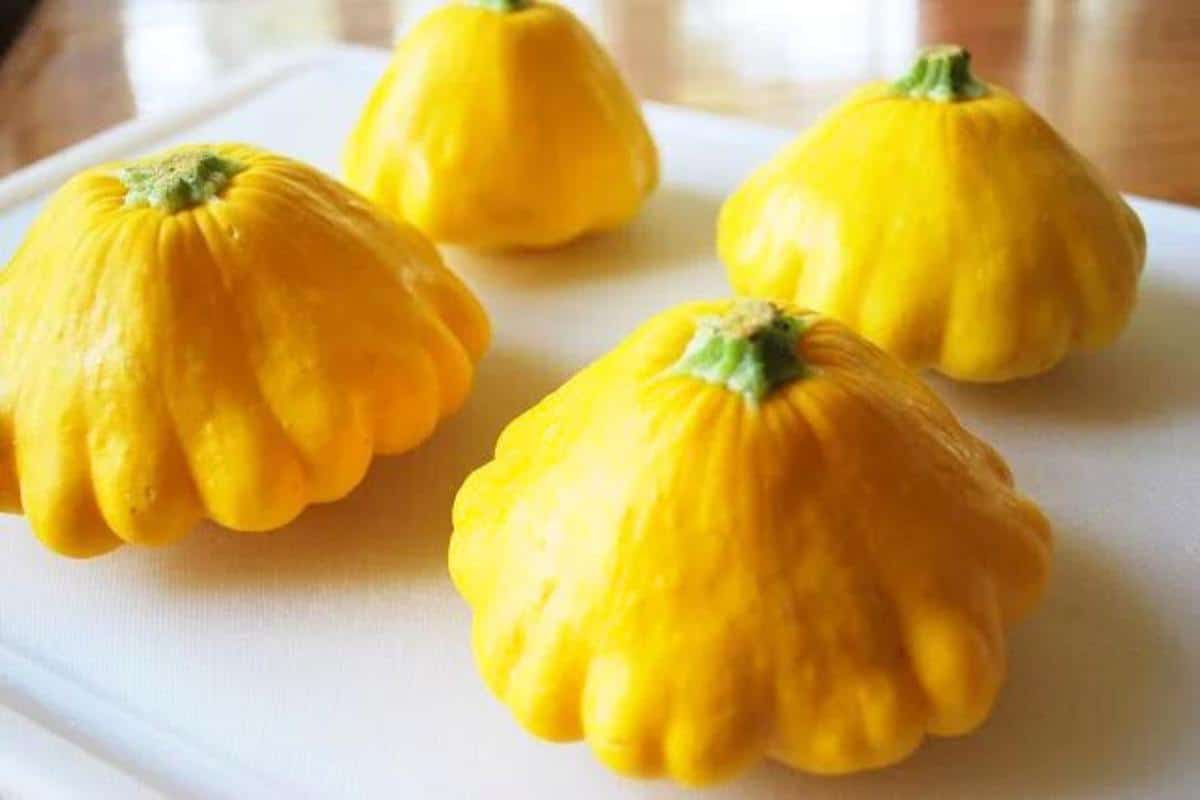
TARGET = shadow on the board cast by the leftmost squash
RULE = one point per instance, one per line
(395, 525)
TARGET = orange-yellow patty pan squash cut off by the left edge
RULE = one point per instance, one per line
(215, 332)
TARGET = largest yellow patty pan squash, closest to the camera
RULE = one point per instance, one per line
(746, 532)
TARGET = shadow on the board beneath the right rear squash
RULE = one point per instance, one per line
(1150, 371)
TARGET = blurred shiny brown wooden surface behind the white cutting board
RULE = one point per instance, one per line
(1118, 77)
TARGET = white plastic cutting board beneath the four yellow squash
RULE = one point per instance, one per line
(332, 659)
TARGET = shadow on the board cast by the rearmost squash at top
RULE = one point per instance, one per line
(676, 225)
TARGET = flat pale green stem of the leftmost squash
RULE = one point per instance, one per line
(177, 182)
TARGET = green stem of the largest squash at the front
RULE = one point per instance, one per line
(751, 350)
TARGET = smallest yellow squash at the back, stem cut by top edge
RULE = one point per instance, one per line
(502, 124)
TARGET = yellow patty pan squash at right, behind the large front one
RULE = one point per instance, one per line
(945, 220)
